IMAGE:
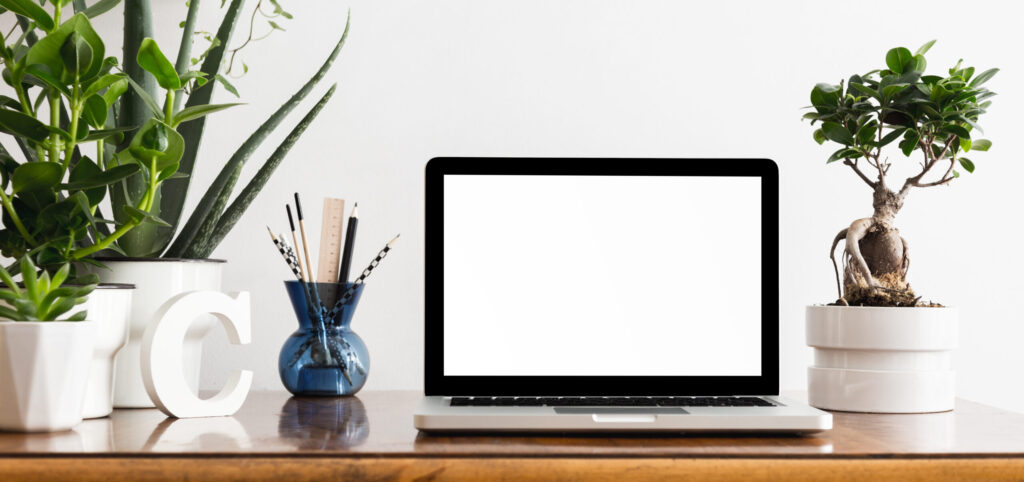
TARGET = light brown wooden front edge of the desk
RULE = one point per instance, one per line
(300, 468)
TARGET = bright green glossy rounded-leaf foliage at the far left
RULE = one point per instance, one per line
(65, 93)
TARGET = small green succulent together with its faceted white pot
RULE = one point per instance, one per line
(45, 362)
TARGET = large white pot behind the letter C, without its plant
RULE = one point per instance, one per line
(157, 281)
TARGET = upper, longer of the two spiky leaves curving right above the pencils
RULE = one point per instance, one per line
(218, 189)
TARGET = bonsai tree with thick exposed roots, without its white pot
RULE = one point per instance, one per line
(934, 117)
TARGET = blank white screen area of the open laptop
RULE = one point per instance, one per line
(603, 276)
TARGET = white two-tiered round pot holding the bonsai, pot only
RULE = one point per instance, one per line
(887, 361)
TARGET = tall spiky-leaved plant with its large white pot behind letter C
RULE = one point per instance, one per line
(152, 257)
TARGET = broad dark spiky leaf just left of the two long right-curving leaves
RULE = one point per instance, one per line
(175, 192)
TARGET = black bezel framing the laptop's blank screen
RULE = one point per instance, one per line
(437, 383)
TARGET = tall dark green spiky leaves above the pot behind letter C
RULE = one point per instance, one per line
(214, 217)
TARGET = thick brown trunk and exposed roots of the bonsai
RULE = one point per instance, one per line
(876, 257)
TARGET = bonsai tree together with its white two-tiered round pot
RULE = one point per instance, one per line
(880, 348)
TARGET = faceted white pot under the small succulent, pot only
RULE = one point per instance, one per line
(44, 371)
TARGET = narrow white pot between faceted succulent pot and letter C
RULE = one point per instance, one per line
(109, 306)
